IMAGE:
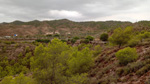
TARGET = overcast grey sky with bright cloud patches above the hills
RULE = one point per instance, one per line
(76, 10)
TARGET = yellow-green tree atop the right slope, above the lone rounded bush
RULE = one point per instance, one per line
(121, 36)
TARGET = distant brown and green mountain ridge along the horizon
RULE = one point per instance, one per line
(34, 28)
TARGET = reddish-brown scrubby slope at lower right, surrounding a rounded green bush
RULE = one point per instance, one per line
(108, 71)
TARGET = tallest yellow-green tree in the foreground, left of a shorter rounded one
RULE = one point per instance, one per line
(47, 62)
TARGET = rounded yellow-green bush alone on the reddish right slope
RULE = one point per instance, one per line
(126, 55)
